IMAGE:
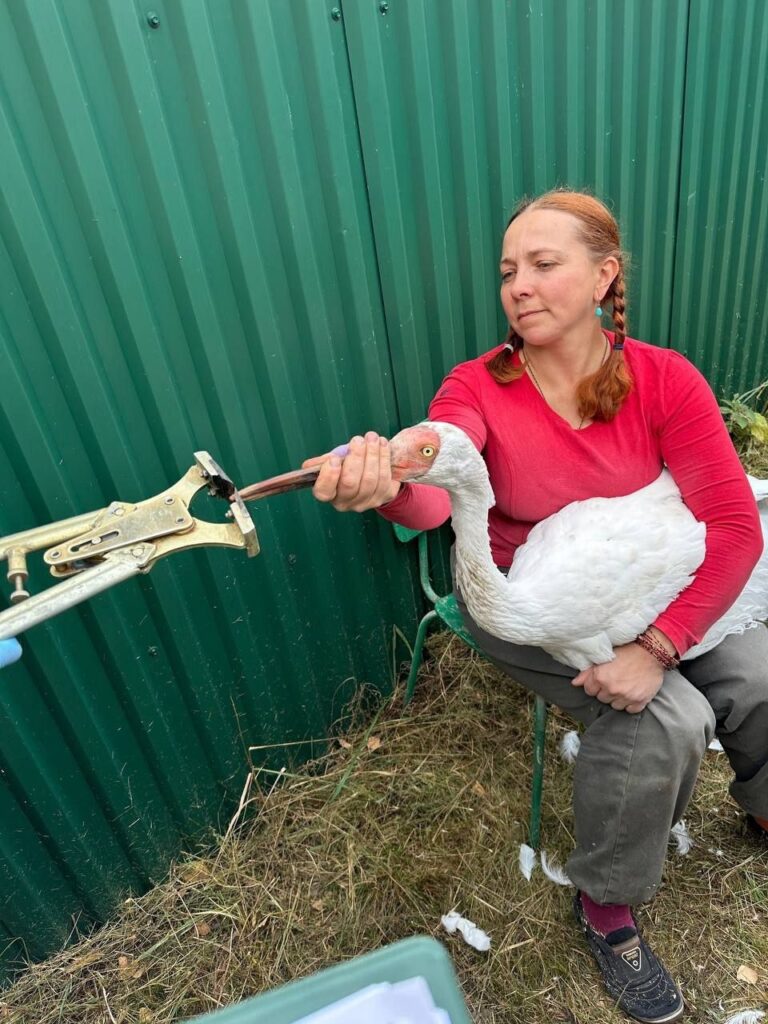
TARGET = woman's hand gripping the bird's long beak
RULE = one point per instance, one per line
(362, 481)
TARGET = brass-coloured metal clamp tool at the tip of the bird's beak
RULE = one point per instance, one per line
(93, 552)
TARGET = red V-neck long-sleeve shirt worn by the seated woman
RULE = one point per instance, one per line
(538, 463)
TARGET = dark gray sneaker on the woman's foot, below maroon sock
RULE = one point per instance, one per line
(632, 974)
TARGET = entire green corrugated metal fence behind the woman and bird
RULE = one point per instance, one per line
(258, 229)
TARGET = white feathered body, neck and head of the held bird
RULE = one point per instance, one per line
(584, 582)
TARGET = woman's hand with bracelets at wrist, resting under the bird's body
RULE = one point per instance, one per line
(628, 684)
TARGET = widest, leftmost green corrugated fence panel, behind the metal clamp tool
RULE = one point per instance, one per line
(187, 263)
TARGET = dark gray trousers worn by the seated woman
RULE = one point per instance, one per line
(635, 774)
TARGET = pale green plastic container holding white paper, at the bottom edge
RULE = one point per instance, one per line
(409, 959)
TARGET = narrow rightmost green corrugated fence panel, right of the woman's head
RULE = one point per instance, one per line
(720, 316)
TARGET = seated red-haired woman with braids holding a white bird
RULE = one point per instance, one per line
(566, 411)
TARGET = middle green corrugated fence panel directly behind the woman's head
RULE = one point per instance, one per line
(466, 107)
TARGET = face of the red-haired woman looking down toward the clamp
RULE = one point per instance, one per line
(550, 281)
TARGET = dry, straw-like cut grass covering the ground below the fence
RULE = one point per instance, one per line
(430, 818)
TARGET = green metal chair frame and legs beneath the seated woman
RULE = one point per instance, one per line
(447, 611)
